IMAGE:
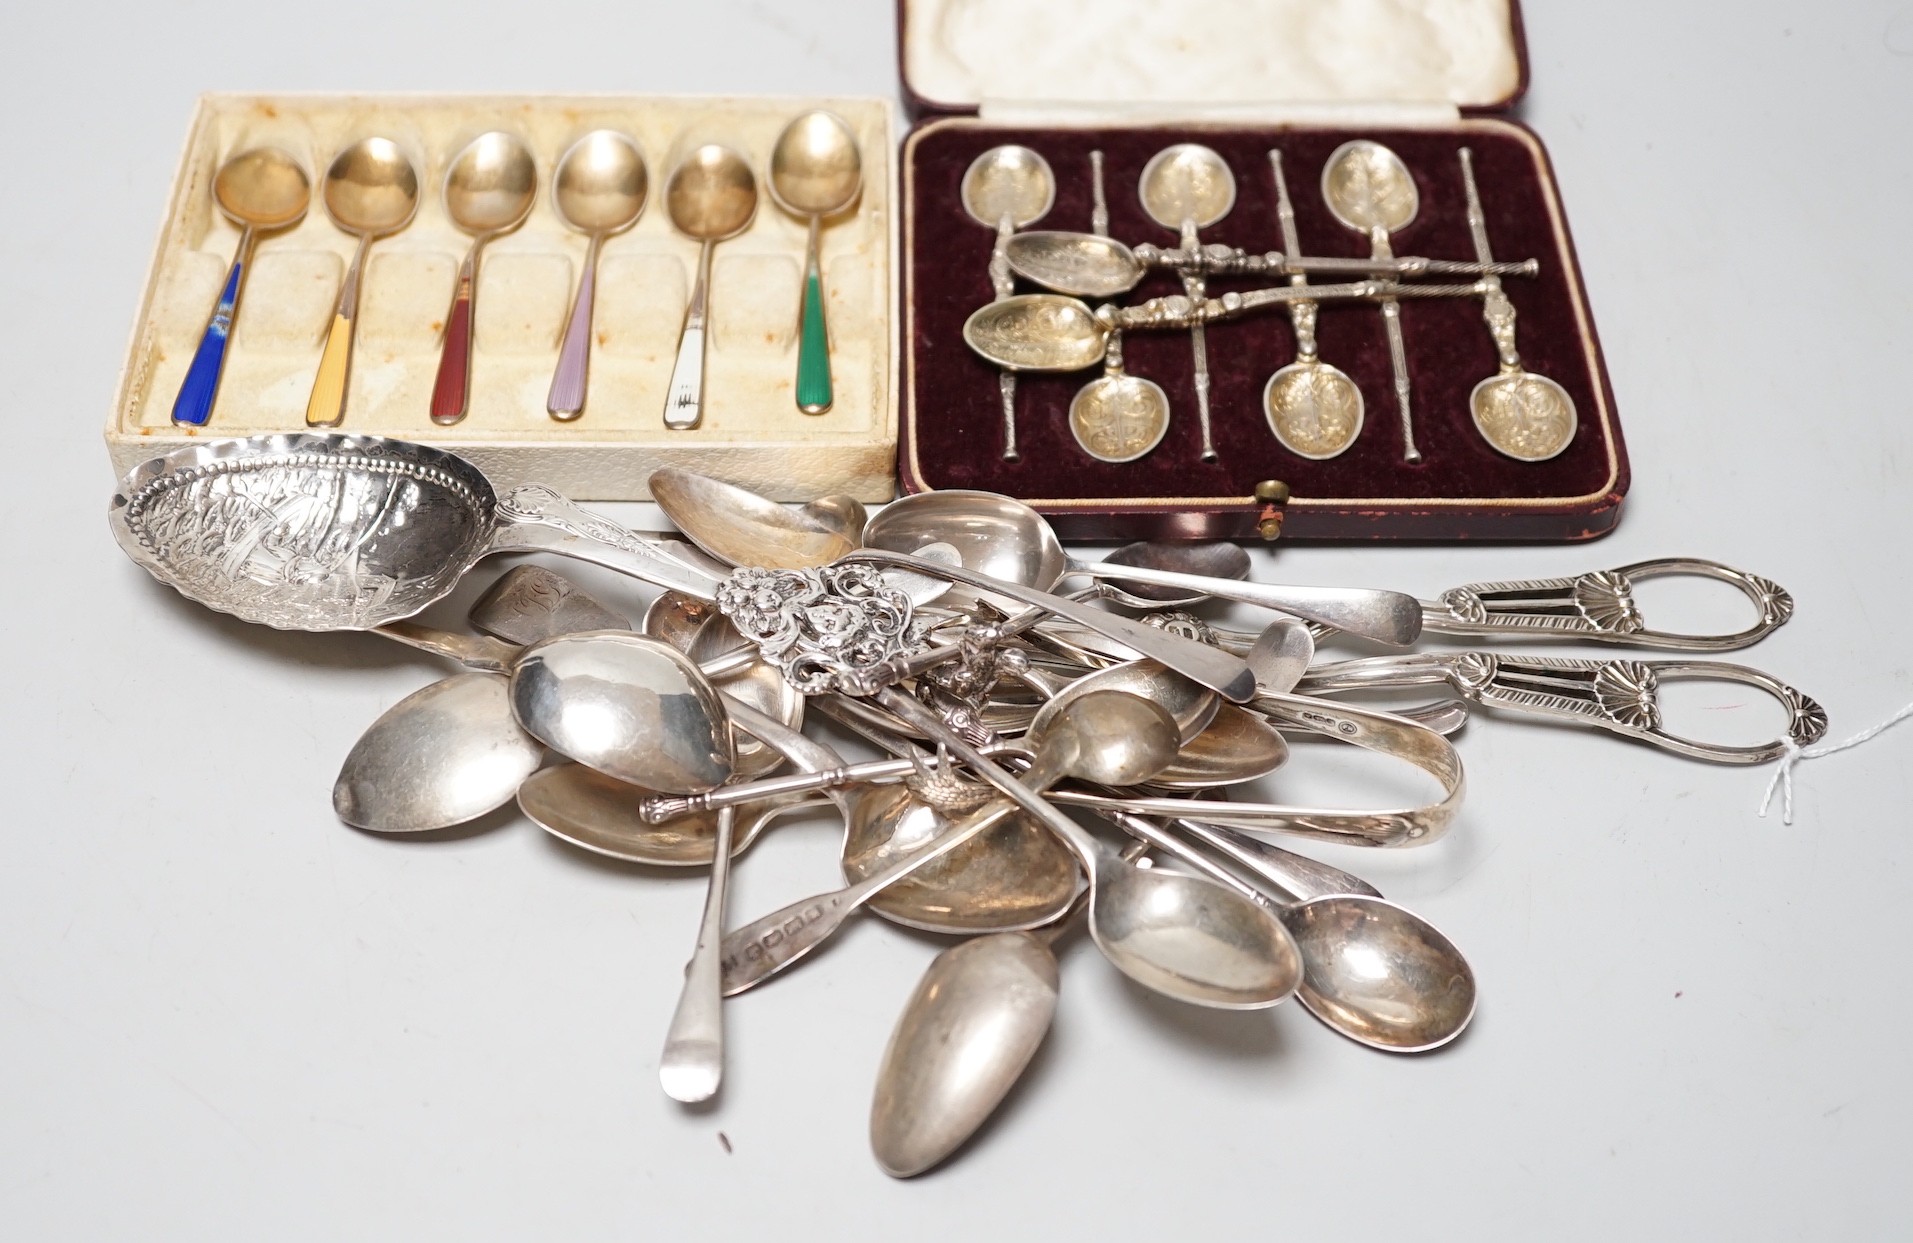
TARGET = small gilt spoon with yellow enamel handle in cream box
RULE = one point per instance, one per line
(370, 190)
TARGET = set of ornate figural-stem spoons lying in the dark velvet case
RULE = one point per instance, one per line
(1311, 406)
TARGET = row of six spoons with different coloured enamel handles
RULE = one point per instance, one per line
(598, 188)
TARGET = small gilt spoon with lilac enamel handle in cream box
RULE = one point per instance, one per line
(598, 188)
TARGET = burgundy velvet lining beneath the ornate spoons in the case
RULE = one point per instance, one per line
(957, 416)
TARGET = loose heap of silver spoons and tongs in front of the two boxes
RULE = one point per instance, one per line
(944, 634)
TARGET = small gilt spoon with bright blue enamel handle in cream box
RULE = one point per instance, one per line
(257, 190)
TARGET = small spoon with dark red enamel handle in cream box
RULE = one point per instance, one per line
(489, 192)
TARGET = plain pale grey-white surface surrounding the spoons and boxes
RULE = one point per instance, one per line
(227, 1016)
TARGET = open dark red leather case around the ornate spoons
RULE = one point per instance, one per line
(950, 422)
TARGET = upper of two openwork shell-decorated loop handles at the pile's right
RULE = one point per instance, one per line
(1600, 607)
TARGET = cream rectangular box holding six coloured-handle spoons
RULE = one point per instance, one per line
(753, 431)
